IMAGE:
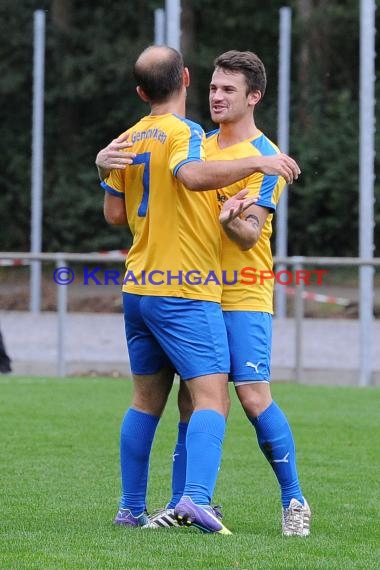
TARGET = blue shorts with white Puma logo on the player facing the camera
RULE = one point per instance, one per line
(250, 341)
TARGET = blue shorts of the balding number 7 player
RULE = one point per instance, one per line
(187, 334)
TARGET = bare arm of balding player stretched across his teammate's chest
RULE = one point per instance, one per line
(214, 174)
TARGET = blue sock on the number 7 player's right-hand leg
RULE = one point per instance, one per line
(204, 440)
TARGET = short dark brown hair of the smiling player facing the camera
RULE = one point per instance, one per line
(247, 63)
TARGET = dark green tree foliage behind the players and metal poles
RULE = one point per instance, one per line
(90, 98)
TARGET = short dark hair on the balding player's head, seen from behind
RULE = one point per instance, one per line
(161, 79)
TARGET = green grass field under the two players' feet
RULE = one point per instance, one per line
(59, 483)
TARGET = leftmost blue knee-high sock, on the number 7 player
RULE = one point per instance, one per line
(136, 438)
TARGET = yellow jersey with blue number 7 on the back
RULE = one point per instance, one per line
(176, 248)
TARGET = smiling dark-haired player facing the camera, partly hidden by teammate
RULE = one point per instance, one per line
(237, 86)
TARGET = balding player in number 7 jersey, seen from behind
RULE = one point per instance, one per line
(172, 320)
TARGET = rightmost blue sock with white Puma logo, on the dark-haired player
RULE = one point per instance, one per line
(276, 442)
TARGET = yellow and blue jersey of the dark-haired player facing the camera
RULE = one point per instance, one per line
(246, 286)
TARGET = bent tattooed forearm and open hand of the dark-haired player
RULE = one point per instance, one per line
(242, 220)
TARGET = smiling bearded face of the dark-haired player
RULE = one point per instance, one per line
(228, 98)
